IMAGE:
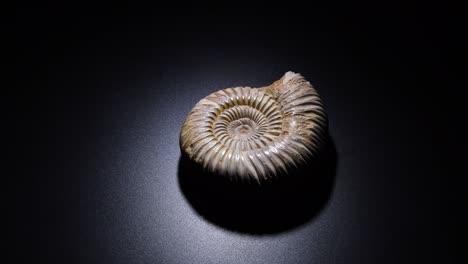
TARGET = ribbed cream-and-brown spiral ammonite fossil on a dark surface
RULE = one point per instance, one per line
(256, 134)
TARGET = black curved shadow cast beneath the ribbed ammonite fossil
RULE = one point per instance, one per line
(267, 209)
